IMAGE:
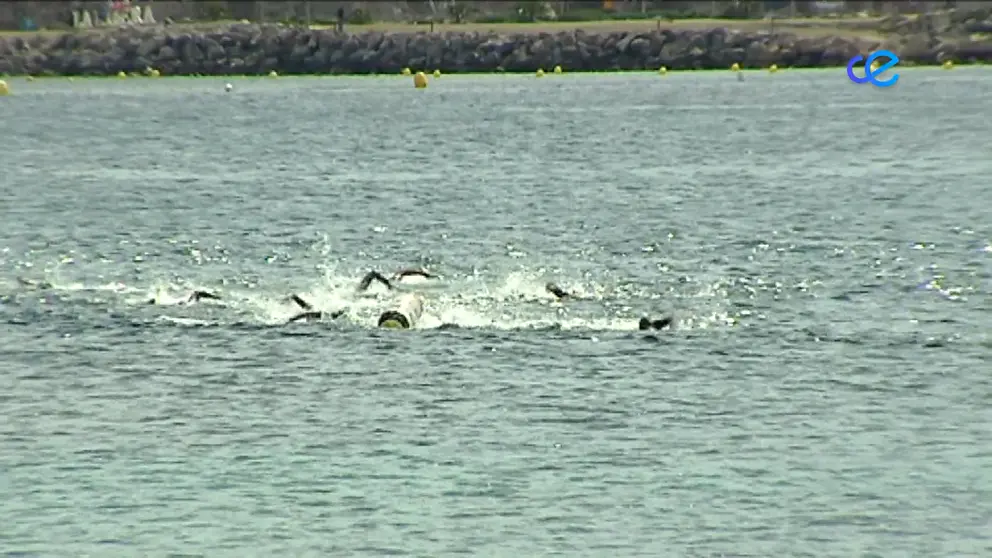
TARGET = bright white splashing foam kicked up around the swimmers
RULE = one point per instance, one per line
(517, 300)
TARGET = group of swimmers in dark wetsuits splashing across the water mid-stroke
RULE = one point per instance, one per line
(402, 315)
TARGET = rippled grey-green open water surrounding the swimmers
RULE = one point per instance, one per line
(825, 248)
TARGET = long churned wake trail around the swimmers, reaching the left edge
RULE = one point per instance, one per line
(514, 301)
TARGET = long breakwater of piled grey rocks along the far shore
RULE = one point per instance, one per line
(259, 49)
